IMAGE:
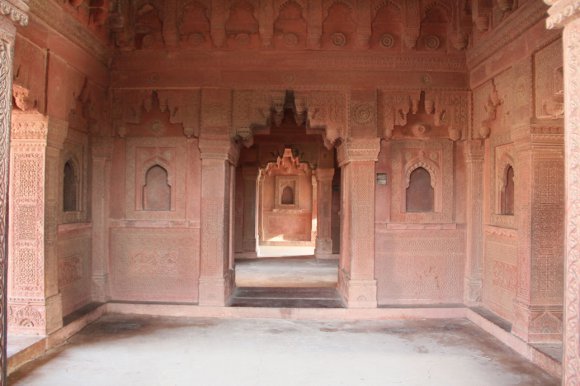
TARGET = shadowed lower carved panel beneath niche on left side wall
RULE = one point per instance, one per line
(74, 267)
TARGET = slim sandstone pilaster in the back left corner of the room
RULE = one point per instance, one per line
(102, 151)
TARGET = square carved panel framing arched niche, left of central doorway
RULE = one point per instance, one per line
(142, 155)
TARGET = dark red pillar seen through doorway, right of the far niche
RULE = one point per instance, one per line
(324, 204)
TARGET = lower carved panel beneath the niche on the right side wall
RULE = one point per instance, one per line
(500, 272)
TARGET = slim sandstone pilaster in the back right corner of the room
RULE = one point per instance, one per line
(474, 152)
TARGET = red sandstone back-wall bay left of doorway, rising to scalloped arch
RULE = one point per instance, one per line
(154, 253)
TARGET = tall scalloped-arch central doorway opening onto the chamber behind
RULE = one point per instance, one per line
(286, 213)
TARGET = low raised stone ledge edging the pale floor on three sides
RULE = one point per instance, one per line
(546, 362)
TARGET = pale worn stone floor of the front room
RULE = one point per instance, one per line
(138, 350)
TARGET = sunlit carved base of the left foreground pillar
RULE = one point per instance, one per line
(35, 317)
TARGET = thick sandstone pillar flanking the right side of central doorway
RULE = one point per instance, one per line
(356, 278)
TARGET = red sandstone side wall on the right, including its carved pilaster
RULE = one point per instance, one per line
(517, 108)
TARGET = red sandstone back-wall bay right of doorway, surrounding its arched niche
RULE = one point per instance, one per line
(419, 259)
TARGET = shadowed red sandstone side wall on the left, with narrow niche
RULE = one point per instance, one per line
(61, 73)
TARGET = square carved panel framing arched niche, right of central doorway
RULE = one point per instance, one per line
(436, 157)
